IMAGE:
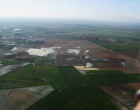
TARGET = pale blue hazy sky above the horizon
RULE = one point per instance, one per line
(110, 10)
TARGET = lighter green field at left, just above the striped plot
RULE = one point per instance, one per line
(30, 75)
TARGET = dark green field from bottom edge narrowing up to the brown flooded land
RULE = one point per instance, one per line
(81, 95)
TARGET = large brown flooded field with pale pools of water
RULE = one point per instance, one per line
(81, 52)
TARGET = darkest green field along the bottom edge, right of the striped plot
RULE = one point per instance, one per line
(81, 98)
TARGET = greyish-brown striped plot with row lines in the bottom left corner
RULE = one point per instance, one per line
(20, 99)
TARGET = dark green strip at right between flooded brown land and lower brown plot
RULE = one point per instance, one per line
(104, 77)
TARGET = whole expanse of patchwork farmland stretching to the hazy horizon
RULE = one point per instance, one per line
(55, 54)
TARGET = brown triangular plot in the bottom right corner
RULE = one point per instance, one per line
(124, 94)
